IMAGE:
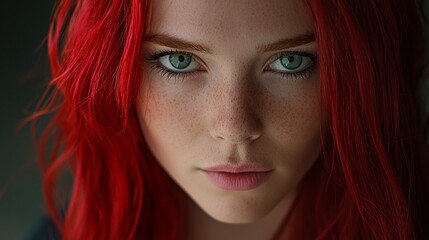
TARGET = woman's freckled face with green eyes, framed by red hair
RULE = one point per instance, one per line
(229, 101)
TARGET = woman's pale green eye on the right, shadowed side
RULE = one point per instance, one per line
(291, 63)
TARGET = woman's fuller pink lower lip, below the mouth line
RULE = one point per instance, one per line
(238, 181)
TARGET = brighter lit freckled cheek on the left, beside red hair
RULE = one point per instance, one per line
(167, 122)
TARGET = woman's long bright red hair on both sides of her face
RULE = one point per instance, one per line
(371, 180)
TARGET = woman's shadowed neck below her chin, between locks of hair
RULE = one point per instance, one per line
(199, 225)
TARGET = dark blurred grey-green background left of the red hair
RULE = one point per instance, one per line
(24, 71)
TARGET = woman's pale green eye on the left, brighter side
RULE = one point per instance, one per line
(179, 62)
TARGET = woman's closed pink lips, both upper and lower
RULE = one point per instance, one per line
(238, 178)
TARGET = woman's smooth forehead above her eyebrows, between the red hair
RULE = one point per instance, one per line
(227, 23)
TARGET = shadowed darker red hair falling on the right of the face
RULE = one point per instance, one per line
(375, 170)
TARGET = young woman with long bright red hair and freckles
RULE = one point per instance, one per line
(280, 119)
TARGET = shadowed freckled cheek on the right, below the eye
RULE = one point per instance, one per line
(295, 128)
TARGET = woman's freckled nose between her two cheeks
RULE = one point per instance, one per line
(234, 112)
